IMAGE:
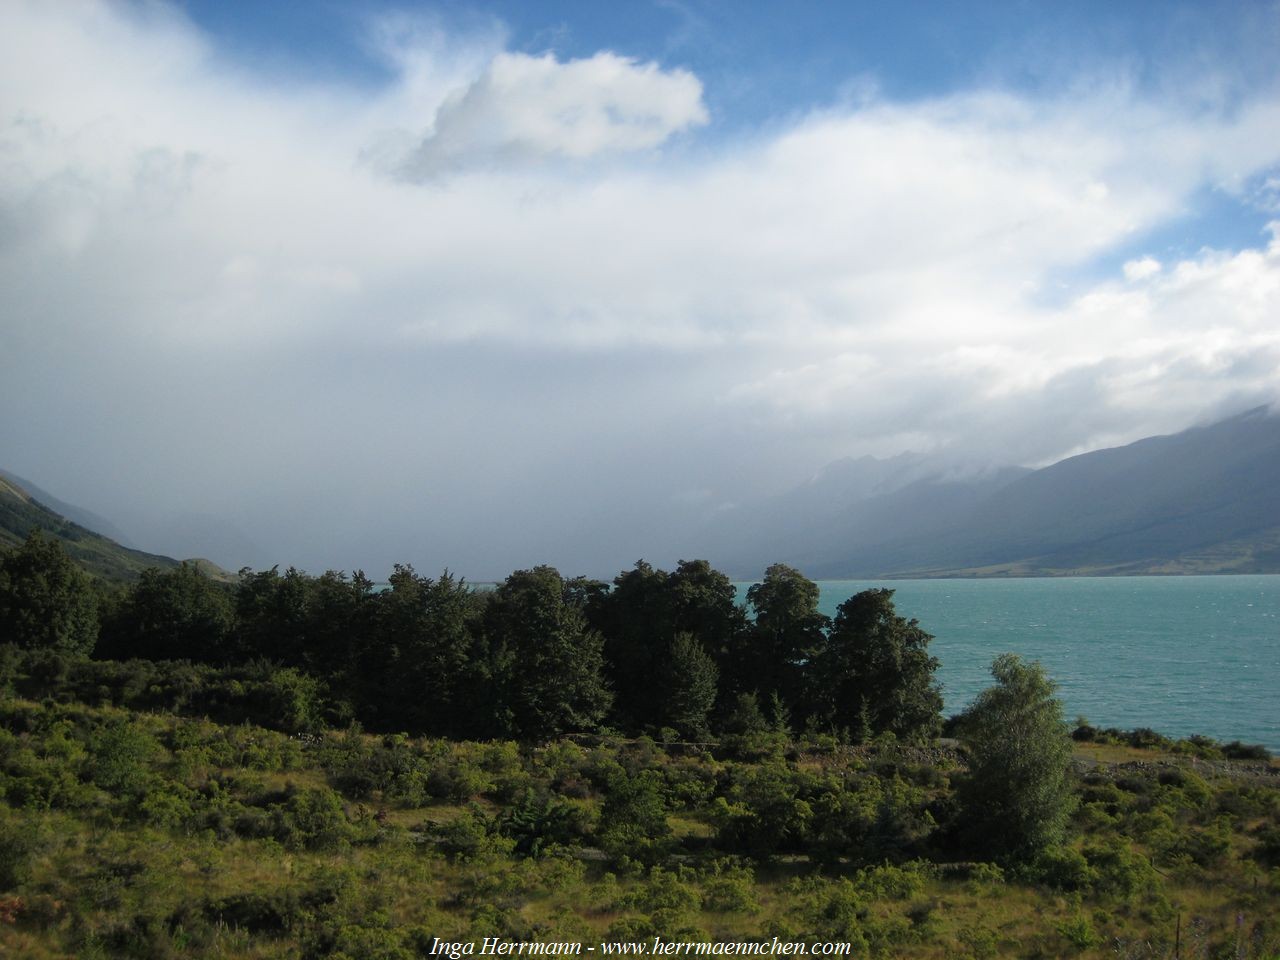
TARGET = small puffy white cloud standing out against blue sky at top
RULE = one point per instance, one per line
(532, 108)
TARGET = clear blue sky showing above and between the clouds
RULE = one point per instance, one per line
(765, 65)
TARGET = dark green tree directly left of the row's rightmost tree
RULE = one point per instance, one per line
(788, 632)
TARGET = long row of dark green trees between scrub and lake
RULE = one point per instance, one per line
(537, 657)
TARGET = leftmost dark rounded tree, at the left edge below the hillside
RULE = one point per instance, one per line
(45, 600)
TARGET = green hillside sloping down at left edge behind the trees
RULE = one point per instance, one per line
(103, 557)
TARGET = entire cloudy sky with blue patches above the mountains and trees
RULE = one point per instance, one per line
(484, 286)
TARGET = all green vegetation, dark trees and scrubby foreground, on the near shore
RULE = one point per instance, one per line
(308, 767)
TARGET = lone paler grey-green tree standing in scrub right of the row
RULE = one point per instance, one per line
(1017, 798)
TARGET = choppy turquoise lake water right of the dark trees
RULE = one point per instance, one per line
(1180, 655)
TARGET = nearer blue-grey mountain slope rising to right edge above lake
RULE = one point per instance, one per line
(1201, 501)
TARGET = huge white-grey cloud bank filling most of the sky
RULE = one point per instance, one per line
(205, 275)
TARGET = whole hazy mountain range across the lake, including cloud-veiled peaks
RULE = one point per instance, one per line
(1204, 501)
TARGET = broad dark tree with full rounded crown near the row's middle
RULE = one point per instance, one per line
(547, 661)
